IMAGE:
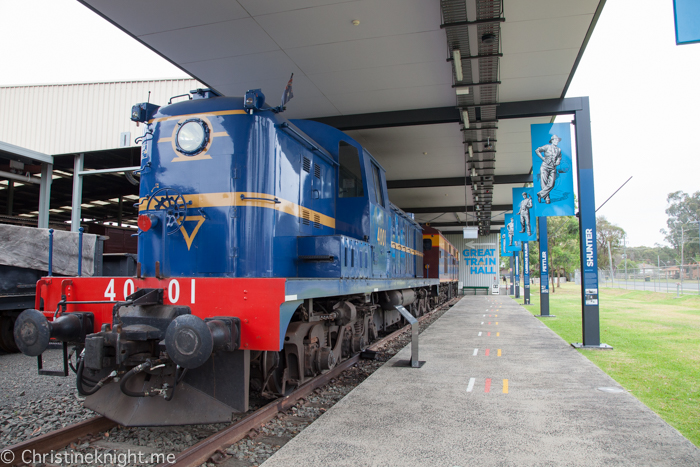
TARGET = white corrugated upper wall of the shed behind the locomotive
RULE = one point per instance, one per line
(66, 118)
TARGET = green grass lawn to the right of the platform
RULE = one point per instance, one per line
(656, 341)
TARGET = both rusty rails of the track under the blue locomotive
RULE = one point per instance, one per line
(211, 446)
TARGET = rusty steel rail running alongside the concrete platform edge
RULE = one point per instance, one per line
(201, 452)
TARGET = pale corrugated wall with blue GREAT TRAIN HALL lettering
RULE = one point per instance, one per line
(478, 259)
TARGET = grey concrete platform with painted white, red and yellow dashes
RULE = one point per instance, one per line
(538, 403)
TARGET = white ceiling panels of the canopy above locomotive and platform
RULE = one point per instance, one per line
(394, 59)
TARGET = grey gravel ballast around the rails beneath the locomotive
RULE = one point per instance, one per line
(32, 405)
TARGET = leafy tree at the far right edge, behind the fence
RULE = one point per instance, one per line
(682, 232)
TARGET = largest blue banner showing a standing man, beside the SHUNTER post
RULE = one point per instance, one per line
(552, 169)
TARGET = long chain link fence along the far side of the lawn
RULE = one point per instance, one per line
(683, 280)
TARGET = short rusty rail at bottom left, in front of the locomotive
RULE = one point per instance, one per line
(57, 439)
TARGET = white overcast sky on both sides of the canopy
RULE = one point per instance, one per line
(643, 89)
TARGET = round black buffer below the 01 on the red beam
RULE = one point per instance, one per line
(188, 341)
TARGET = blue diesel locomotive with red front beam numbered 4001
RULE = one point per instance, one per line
(268, 252)
